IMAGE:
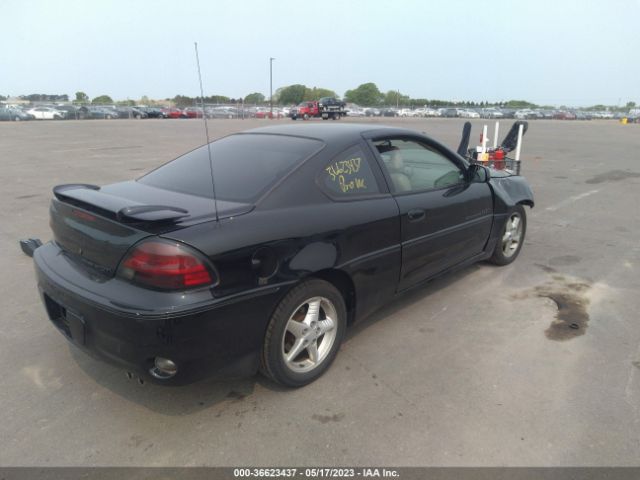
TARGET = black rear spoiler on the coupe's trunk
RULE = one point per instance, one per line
(90, 197)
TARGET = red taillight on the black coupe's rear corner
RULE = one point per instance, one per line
(166, 265)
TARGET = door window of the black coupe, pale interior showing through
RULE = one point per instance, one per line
(415, 167)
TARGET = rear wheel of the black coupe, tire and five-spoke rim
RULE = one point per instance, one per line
(304, 334)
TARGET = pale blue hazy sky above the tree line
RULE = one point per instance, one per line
(549, 52)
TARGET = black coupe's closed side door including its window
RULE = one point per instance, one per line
(445, 218)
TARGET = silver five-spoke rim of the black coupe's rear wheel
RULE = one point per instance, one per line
(309, 334)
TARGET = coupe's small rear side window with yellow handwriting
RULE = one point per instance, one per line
(349, 175)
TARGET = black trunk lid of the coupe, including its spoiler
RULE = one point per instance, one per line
(99, 225)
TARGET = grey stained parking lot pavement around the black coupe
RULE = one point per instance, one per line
(464, 371)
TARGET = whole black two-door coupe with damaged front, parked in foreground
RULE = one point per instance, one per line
(257, 250)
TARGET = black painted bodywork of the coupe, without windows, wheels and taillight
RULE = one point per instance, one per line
(367, 246)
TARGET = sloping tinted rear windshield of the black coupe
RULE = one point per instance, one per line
(244, 166)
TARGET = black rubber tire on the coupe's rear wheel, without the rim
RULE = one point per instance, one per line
(273, 364)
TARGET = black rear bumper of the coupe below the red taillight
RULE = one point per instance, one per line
(220, 338)
